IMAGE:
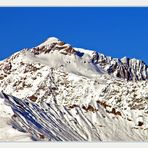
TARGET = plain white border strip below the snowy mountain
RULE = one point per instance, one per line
(73, 144)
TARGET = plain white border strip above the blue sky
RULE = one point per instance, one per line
(92, 3)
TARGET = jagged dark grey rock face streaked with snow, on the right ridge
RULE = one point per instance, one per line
(129, 69)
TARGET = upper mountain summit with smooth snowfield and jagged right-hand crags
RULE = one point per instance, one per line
(56, 53)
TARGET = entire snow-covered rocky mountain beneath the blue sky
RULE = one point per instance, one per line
(55, 92)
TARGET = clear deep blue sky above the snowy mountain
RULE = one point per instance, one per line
(116, 32)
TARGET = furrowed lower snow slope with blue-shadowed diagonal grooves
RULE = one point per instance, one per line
(51, 122)
